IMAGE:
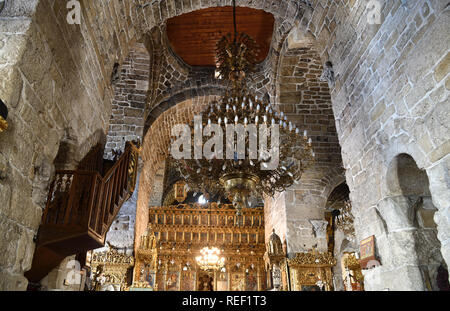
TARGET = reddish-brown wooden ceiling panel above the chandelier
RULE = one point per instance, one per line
(193, 36)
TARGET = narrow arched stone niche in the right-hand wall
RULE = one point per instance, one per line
(409, 214)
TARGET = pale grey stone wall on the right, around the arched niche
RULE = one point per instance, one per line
(389, 98)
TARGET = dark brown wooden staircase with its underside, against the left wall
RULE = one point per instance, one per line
(81, 207)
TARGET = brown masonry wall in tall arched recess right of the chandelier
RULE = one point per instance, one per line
(306, 100)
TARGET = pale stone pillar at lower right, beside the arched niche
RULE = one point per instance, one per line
(396, 247)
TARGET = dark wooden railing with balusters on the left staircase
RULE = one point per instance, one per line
(86, 200)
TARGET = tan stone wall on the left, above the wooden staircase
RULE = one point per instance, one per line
(56, 90)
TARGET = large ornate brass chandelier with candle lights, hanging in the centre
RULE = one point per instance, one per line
(273, 167)
